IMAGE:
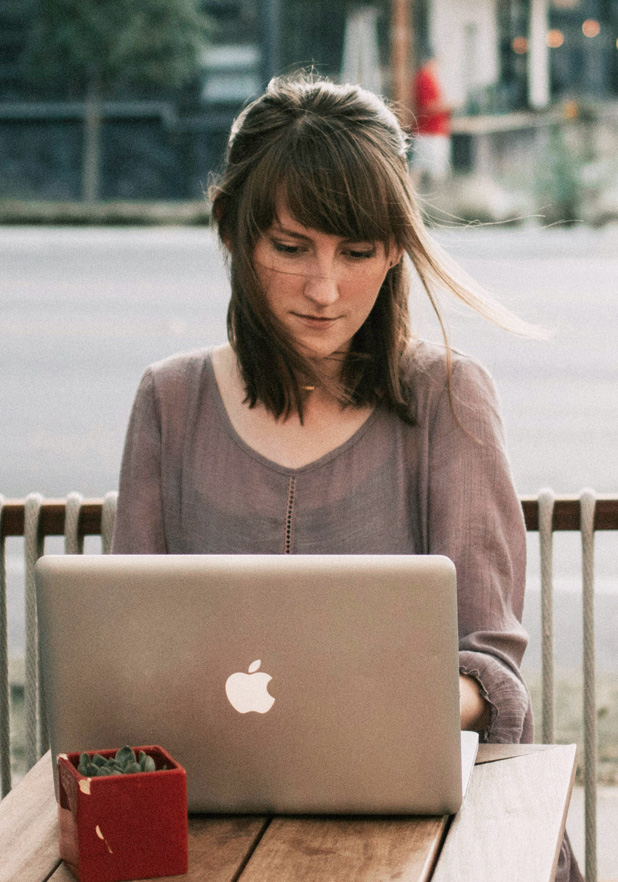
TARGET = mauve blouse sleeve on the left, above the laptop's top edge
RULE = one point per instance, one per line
(138, 528)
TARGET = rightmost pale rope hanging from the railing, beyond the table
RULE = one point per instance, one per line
(587, 509)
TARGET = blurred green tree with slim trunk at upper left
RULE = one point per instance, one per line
(95, 47)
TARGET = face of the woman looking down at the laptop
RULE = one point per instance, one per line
(319, 286)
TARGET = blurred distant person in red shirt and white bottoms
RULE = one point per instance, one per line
(431, 131)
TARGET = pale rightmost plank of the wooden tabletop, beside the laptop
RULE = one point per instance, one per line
(509, 828)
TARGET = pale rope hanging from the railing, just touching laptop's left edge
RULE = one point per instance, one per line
(33, 550)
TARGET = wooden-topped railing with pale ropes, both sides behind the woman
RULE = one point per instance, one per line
(36, 518)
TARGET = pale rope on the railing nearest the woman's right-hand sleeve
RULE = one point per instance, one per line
(546, 510)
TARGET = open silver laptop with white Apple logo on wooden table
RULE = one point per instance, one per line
(282, 683)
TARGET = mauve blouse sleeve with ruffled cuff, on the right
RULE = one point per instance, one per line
(475, 518)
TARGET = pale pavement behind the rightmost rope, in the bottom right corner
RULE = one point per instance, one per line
(607, 828)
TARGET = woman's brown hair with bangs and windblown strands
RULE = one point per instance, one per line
(336, 157)
